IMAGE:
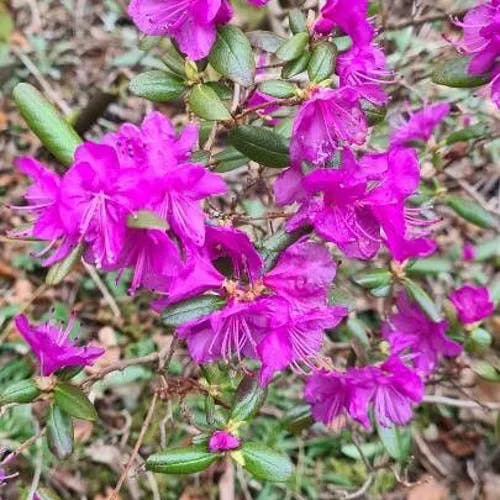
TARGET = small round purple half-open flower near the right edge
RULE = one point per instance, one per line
(472, 303)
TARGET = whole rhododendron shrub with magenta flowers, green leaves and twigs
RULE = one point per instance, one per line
(246, 281)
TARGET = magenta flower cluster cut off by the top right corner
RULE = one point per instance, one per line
(481, 41)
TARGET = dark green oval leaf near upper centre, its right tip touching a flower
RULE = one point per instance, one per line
(261, 145)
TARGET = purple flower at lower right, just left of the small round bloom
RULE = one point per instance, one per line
(411, 329)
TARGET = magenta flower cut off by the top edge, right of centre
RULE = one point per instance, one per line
(348, 15)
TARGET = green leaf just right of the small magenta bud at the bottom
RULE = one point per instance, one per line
(266, 464)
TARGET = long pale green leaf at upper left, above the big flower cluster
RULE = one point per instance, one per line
(44, 120)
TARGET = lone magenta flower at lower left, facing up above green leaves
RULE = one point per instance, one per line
(52, 347)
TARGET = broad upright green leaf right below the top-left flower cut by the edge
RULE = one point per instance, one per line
(232, 55)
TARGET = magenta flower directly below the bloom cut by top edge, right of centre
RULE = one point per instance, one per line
(364, 68)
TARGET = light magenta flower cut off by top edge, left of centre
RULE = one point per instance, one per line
(191, 23)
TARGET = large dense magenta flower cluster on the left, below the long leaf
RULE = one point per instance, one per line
(95, 203)
